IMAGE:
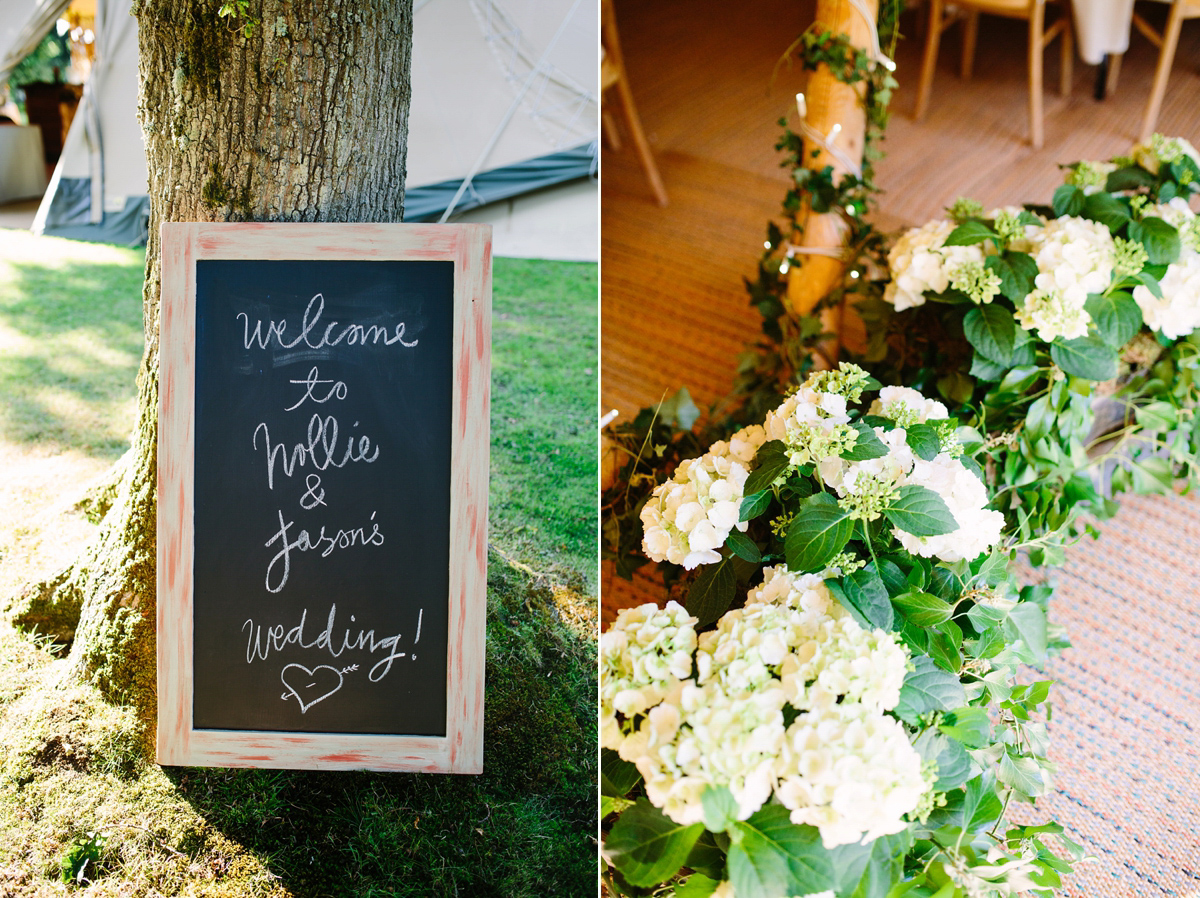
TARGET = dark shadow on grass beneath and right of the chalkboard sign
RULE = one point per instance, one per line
(525, 828)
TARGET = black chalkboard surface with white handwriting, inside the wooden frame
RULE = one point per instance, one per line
(322, 495)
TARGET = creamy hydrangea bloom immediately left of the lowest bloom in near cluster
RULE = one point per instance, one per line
(718, 740)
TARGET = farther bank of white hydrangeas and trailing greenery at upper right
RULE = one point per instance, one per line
(1065, 334)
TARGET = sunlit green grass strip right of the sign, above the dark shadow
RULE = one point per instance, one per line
(544, 409)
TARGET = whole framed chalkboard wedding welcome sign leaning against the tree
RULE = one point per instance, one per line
(322, 495)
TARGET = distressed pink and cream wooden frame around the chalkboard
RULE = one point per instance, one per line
(461, 751)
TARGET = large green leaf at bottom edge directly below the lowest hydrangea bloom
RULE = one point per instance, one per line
(771, 857)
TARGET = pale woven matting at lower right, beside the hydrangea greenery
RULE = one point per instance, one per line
(1126, 727)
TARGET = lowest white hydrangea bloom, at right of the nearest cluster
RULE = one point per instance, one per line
(851, 773)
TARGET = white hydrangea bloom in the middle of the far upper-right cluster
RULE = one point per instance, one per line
(1075, 258)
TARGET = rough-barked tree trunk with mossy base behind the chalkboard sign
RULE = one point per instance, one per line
(284, 111)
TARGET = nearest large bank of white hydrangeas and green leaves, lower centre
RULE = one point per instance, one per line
(856, 722)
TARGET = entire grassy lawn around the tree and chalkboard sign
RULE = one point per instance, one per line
(74, 792)
